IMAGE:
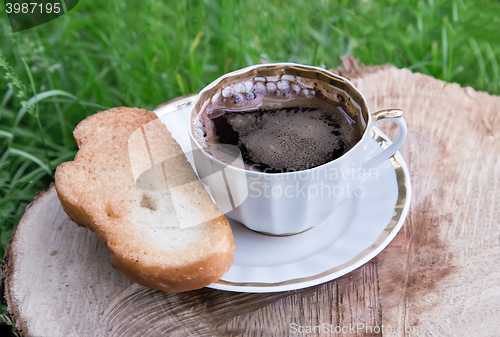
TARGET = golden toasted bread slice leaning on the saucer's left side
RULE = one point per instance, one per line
(131, 184)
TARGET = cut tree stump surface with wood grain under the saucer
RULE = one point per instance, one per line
(438, 277)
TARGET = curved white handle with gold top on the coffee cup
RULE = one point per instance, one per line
(390, 115)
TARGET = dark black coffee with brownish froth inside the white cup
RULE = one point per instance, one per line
(276, 140)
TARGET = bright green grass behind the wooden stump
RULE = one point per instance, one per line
(142, 53)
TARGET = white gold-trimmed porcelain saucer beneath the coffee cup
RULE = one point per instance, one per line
(353, 235)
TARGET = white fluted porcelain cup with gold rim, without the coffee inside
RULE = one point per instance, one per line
(292, 202)
